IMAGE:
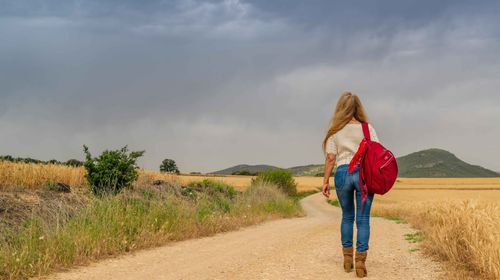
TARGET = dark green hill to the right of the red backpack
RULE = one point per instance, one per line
(436, 163)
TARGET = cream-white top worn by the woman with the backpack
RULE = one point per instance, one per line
(345, 142)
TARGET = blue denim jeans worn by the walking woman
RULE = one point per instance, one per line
(346, 187)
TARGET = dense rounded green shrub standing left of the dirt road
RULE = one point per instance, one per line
(111, 171)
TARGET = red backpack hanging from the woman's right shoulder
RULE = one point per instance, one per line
(378, 166)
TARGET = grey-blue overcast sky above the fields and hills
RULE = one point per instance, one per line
(212, 84)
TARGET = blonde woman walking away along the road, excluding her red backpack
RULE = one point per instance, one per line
(340, 144)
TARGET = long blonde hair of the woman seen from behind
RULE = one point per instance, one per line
(348, 106)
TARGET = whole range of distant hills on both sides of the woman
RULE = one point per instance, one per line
(431, 163)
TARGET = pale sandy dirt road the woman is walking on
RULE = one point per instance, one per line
(298, 248)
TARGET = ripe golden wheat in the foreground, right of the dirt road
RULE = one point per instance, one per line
(465, 233)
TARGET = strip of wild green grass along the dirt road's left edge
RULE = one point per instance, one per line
(132, 220)
